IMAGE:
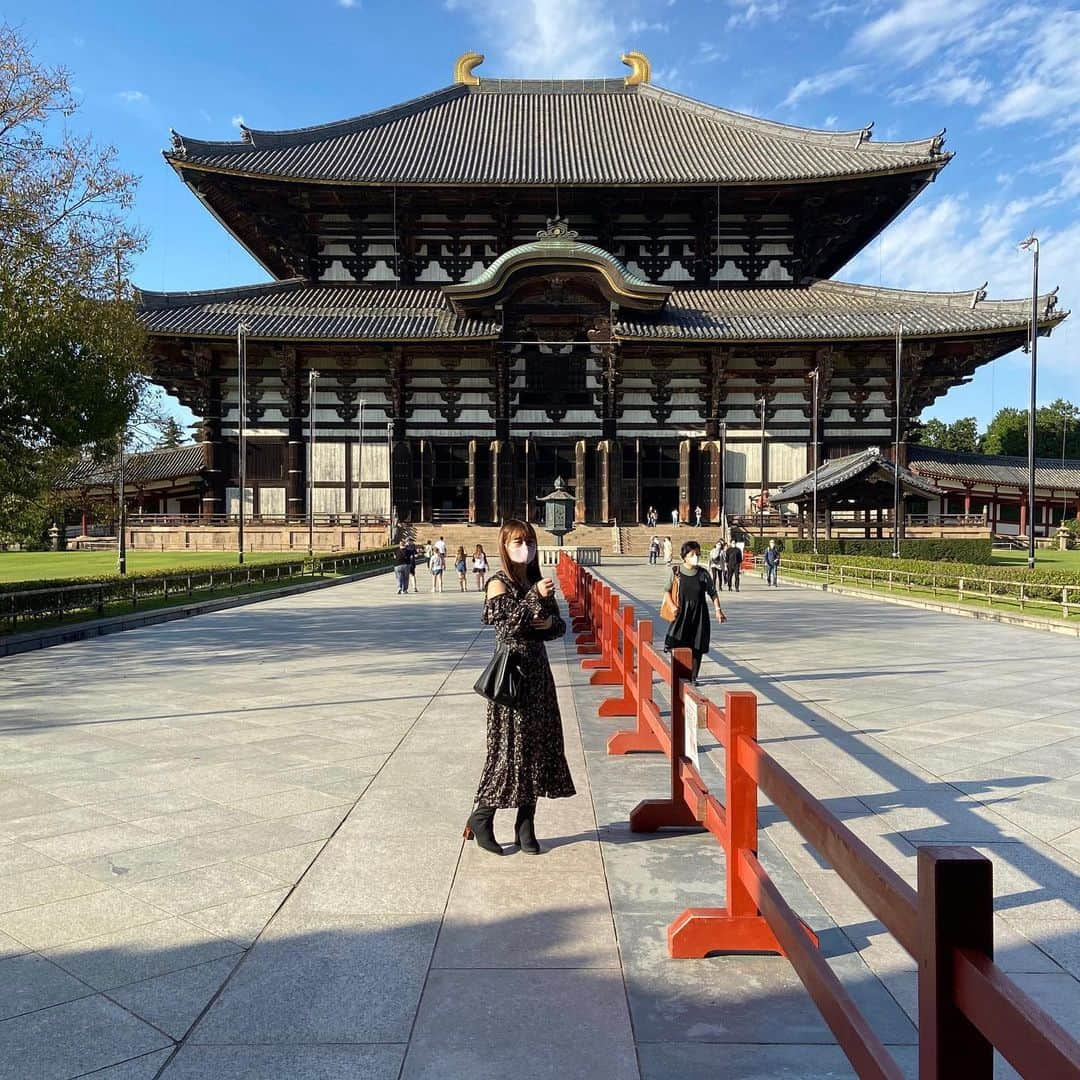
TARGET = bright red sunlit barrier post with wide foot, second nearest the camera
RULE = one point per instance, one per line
(740, 926)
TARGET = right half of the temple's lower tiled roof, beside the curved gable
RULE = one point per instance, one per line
(831, 310)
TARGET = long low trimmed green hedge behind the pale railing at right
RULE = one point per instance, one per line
(1006, 580)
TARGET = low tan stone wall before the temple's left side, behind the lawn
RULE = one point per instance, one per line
(291, 537)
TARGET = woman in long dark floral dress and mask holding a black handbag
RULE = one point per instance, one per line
(525, 754)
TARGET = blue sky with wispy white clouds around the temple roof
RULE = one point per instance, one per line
(1003, 78)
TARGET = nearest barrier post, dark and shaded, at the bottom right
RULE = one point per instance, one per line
(956, 910)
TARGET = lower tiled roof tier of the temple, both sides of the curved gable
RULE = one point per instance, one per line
(825, 310)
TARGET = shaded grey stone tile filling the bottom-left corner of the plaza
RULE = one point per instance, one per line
(72, 1039)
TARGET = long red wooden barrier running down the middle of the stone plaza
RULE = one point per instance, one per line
(968, 1006)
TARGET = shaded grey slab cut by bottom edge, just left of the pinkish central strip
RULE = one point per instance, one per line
(381, 1062)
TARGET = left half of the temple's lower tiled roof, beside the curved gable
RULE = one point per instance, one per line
(296, 310)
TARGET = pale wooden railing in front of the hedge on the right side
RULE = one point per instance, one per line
(1018, 593)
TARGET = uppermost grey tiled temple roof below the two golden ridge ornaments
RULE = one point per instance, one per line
(572, 132)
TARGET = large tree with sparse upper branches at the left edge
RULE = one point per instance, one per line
(71, 346)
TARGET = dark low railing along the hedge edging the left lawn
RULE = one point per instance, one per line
(20, 610)
